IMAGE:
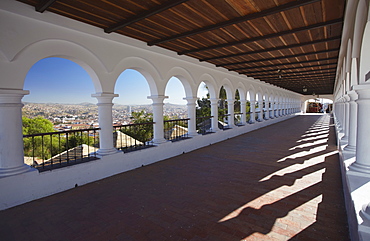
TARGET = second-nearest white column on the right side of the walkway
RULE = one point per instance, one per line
(352, 127)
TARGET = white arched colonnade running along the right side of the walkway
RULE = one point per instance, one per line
(352, 113)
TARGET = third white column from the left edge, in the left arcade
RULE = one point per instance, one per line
(158, 118)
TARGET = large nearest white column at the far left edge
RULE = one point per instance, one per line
(11, 136)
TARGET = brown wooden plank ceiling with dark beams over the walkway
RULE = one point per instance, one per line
(293, 44)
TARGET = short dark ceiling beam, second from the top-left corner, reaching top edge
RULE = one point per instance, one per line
(146, 14)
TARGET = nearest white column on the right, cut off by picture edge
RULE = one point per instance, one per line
(362, 163)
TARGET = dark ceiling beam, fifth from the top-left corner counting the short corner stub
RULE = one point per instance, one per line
(273, 49)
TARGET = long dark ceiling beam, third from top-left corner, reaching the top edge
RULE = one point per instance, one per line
(278, 9)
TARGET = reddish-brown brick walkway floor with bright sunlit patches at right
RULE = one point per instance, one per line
(277, 183)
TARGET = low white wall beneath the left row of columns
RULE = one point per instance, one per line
(22, 188)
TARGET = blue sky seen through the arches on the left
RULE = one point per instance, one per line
(58, 80)
